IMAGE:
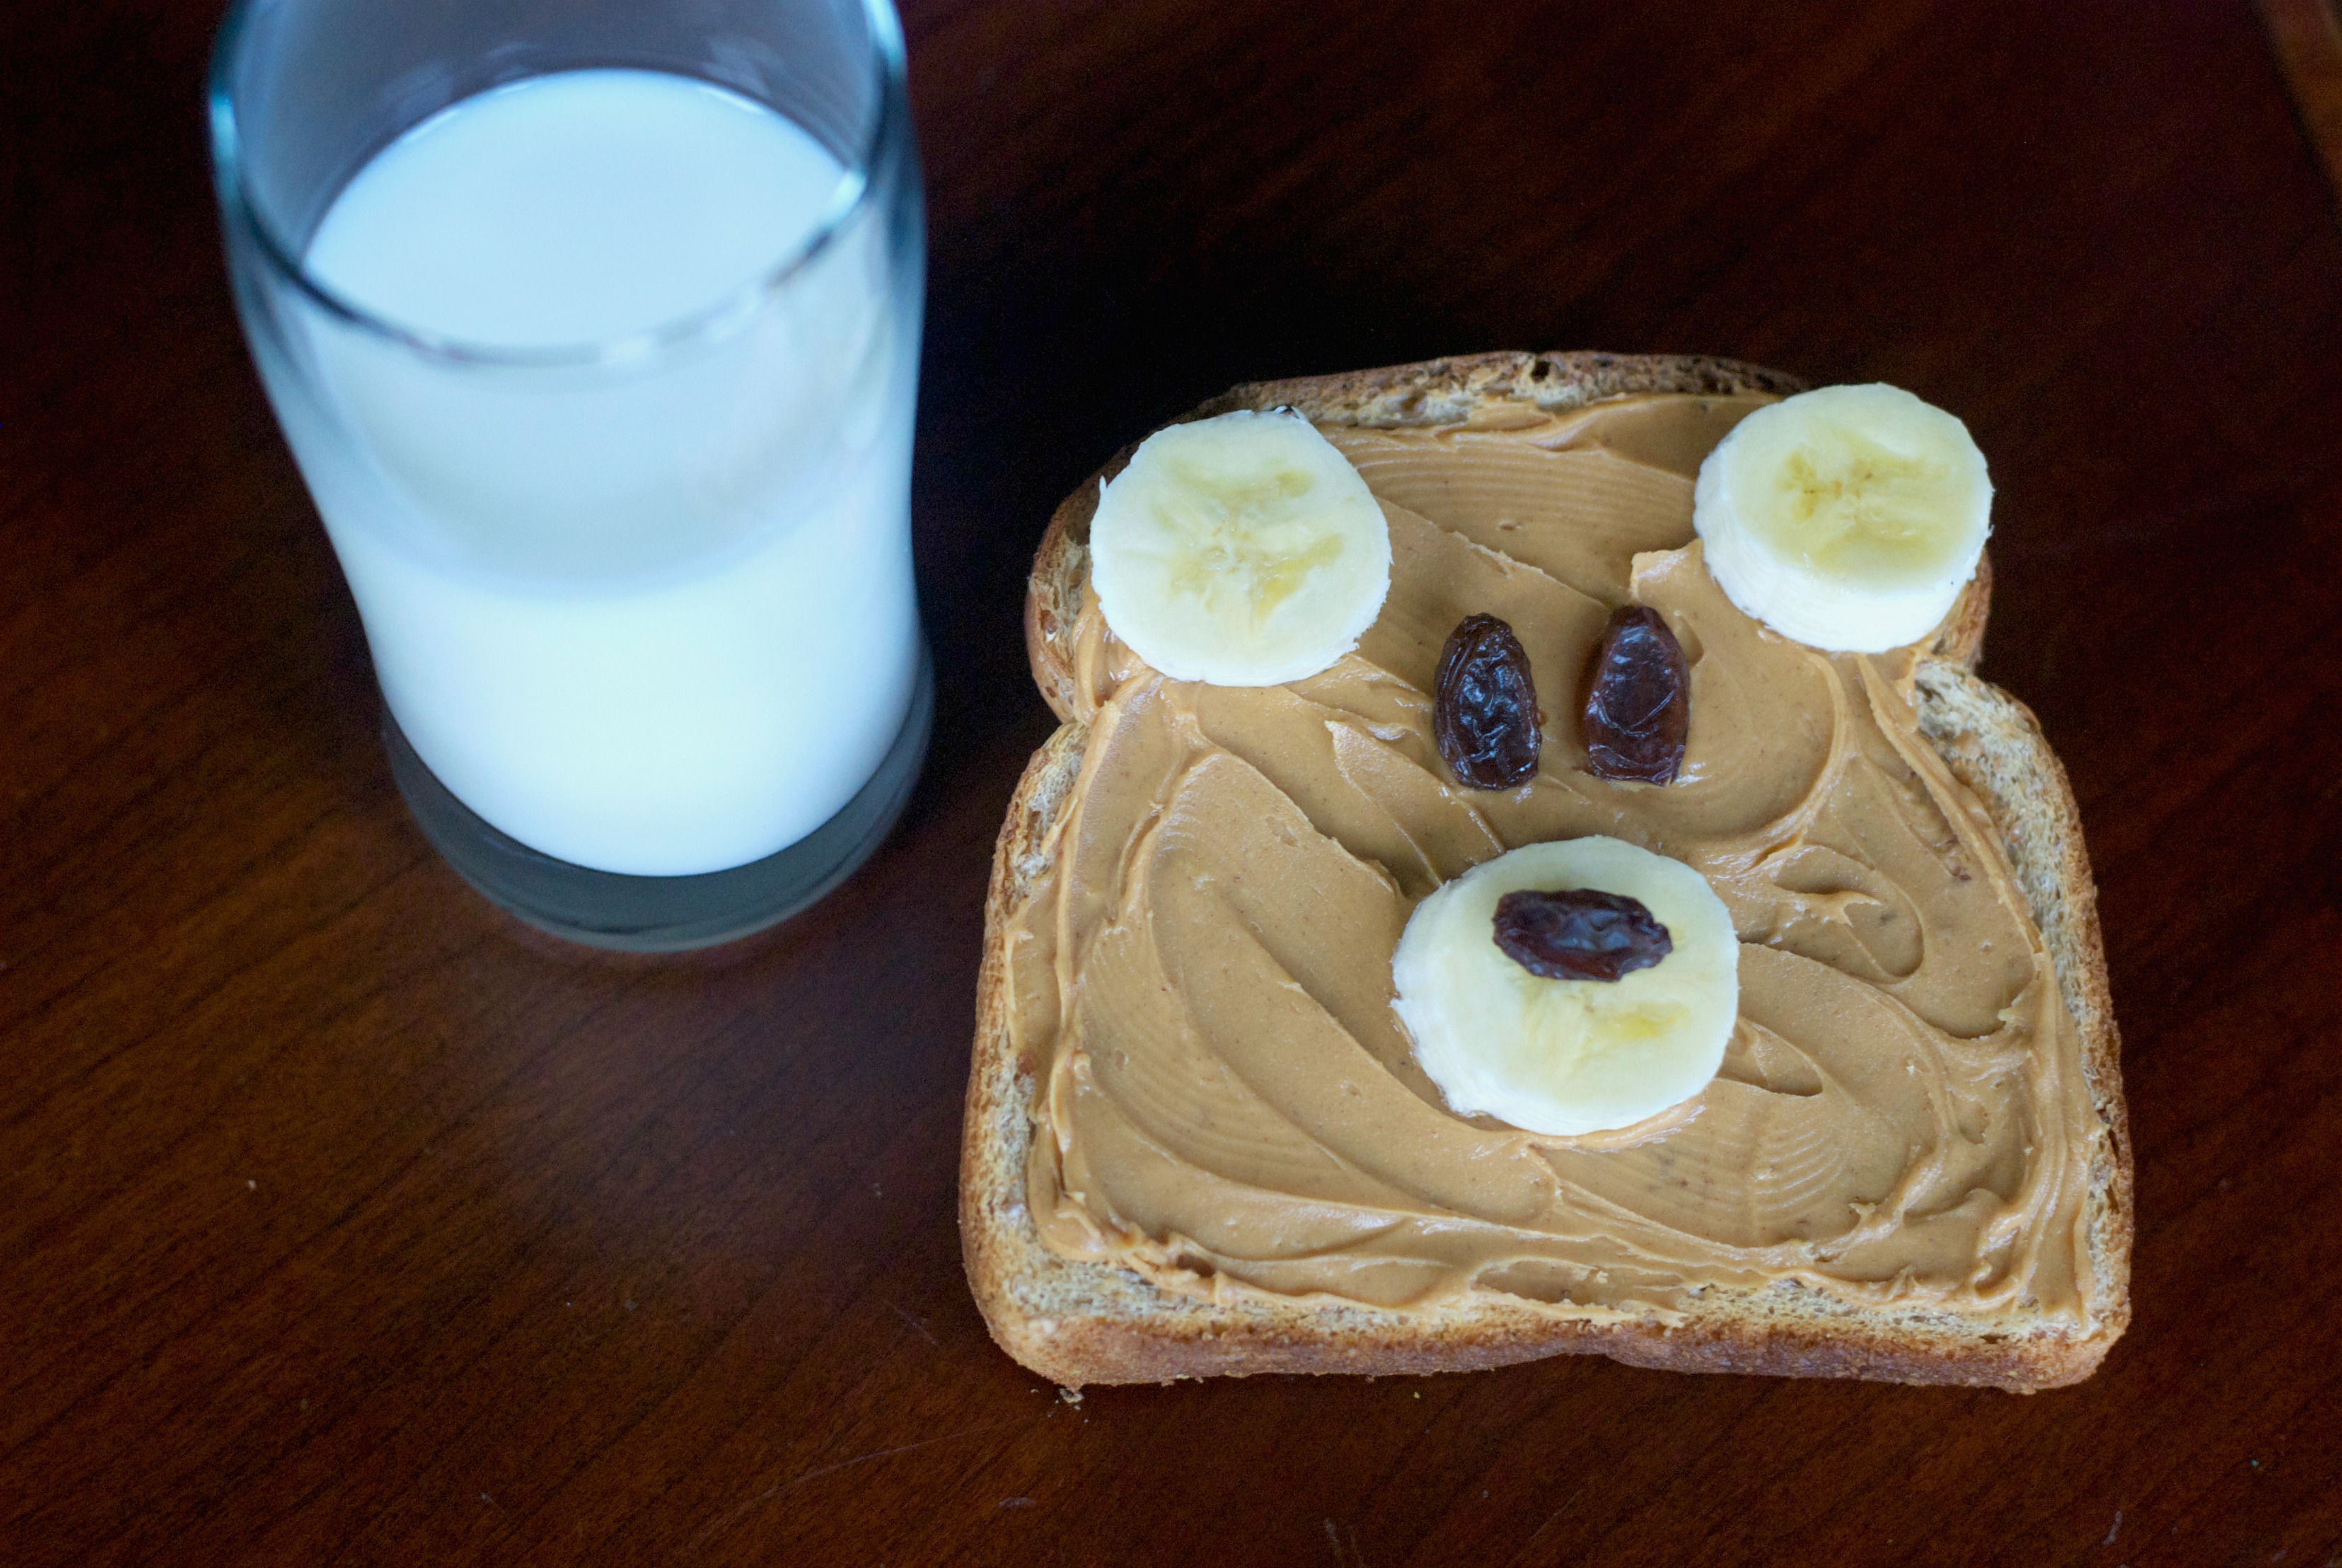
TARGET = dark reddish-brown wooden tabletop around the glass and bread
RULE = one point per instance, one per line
(345, 1220)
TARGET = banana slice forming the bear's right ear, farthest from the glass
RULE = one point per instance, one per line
(1847, 518)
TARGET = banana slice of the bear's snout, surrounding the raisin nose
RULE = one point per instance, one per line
(1554, 1054)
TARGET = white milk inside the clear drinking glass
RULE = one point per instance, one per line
(655, 612)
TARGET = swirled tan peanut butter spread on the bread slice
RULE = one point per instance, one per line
(1203, 984)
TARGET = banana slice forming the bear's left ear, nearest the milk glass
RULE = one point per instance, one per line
(1240, 551)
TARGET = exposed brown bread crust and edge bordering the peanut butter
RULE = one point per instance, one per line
(1097, 1323)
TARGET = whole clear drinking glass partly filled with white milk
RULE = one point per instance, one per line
(594, 329)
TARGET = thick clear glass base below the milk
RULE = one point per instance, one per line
(605, 909)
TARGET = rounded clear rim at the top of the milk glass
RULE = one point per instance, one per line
(701, 324)
